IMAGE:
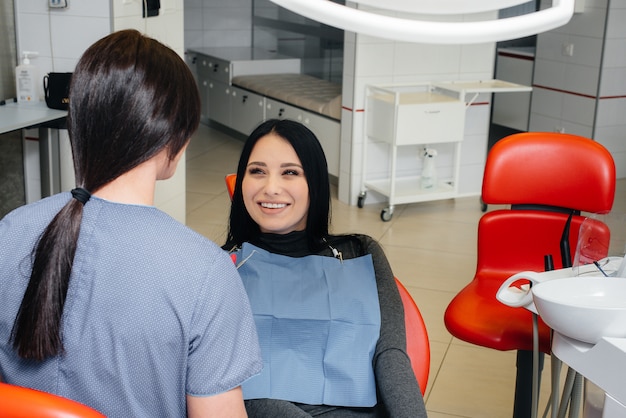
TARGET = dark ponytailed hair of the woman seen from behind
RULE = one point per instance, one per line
(130, 98)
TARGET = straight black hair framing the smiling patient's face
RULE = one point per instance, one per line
(242, 227)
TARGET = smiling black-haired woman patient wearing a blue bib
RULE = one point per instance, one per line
(327, 308)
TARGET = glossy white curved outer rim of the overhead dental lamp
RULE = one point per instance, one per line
(430, 32)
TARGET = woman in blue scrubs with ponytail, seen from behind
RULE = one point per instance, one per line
(104, 298)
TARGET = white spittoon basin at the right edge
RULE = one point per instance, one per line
(583, 308)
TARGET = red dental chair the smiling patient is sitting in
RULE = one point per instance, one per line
(418, 347)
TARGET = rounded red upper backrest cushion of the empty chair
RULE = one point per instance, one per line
(536, 168)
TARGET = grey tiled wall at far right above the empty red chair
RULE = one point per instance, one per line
(582, 73)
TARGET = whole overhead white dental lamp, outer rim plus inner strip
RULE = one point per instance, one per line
(433, 32)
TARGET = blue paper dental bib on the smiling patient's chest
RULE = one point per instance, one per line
(318, 321)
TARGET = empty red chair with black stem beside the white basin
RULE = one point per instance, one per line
(544, 177)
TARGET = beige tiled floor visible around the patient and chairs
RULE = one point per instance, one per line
(432, 249)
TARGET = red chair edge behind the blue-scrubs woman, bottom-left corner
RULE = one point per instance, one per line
(21, 402)
